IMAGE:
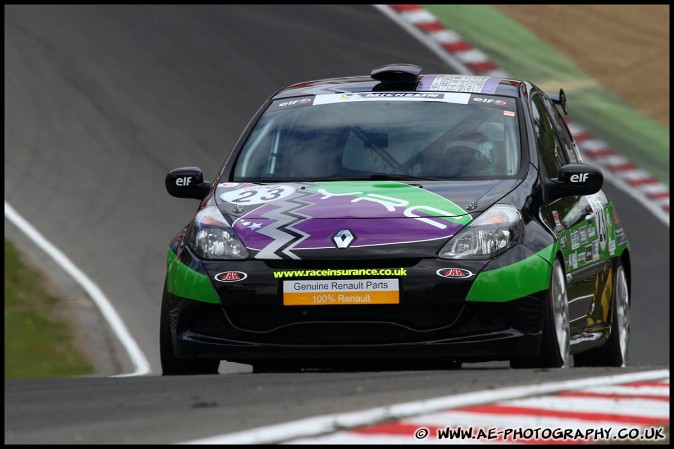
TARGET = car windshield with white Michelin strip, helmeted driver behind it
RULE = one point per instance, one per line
(433, 136)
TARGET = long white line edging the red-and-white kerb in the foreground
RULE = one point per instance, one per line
(322, 425)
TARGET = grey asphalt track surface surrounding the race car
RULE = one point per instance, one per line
(101, 102)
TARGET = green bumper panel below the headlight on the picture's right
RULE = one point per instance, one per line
(520, 279)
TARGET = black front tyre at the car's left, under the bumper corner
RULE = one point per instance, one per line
(170, 364)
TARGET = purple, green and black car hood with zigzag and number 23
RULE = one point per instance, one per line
(286, 220)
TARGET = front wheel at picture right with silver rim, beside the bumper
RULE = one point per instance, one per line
(556, 340)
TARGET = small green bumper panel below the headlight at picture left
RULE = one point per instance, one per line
(192, 285)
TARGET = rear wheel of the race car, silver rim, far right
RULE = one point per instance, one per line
(615, 351)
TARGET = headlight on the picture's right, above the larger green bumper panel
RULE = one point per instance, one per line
(491, 233)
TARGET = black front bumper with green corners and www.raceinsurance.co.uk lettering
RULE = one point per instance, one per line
(243, 318)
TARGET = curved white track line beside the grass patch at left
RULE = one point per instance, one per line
(140, 362)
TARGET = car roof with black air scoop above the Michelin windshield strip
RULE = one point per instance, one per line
(404, 78)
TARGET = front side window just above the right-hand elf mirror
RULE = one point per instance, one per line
(549, 148)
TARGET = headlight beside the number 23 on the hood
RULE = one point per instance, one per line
(213, 238)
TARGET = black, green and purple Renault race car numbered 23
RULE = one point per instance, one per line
(435, 219)
